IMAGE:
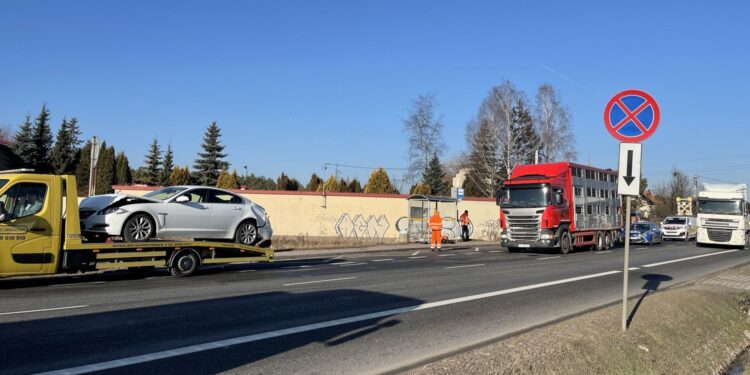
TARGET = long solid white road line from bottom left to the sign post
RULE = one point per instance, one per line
(155, 356)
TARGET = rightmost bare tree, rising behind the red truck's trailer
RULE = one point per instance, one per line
(552, 120)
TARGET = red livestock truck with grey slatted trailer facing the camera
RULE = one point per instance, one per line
(559, 206)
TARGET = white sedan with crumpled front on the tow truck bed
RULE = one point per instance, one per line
(178, 211)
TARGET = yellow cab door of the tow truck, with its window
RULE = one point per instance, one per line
(25, 227)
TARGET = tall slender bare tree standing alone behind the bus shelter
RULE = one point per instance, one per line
(425, 133)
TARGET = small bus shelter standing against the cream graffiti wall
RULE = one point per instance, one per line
(420, 210)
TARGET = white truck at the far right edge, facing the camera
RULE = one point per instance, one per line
(723, 215)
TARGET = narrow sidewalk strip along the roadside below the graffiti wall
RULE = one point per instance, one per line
(292, 254)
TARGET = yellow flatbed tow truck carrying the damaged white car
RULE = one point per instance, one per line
(40, 234)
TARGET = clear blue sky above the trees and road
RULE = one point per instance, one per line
(294, 85)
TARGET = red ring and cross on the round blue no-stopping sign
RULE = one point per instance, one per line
(631, 116)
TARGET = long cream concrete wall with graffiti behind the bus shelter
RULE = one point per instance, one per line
(348, 216)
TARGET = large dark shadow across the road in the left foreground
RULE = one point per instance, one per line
(78, 340)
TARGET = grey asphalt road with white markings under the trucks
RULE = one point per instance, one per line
(365, 313)
